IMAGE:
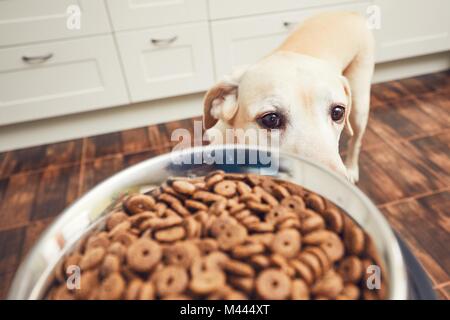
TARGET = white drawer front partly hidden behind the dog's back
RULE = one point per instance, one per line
(246, 40)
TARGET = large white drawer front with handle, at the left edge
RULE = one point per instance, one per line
(58, 78)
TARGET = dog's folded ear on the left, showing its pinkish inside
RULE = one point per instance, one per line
(220, 102)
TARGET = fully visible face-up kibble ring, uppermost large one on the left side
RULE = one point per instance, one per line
(143, 255)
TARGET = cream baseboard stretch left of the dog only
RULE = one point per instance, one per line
(85, 124)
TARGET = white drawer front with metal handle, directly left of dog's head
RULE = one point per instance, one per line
(167, 61)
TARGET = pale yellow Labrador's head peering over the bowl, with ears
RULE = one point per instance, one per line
(305, 99)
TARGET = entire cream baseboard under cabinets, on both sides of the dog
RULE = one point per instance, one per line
(58, 129)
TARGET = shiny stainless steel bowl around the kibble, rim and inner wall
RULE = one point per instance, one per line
(32, 278)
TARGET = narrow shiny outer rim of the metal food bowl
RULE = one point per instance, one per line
(395, 265)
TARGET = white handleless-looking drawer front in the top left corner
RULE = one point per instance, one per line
(23, 21)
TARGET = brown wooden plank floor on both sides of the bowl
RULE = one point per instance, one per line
(405, 170)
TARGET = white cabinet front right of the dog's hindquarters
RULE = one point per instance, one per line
(412, 27)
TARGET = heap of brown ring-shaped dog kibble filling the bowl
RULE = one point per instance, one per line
(223, 236)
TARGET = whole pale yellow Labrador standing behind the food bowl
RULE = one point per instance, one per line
(315, 84)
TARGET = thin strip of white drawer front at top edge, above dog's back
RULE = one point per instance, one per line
(219, 9)
